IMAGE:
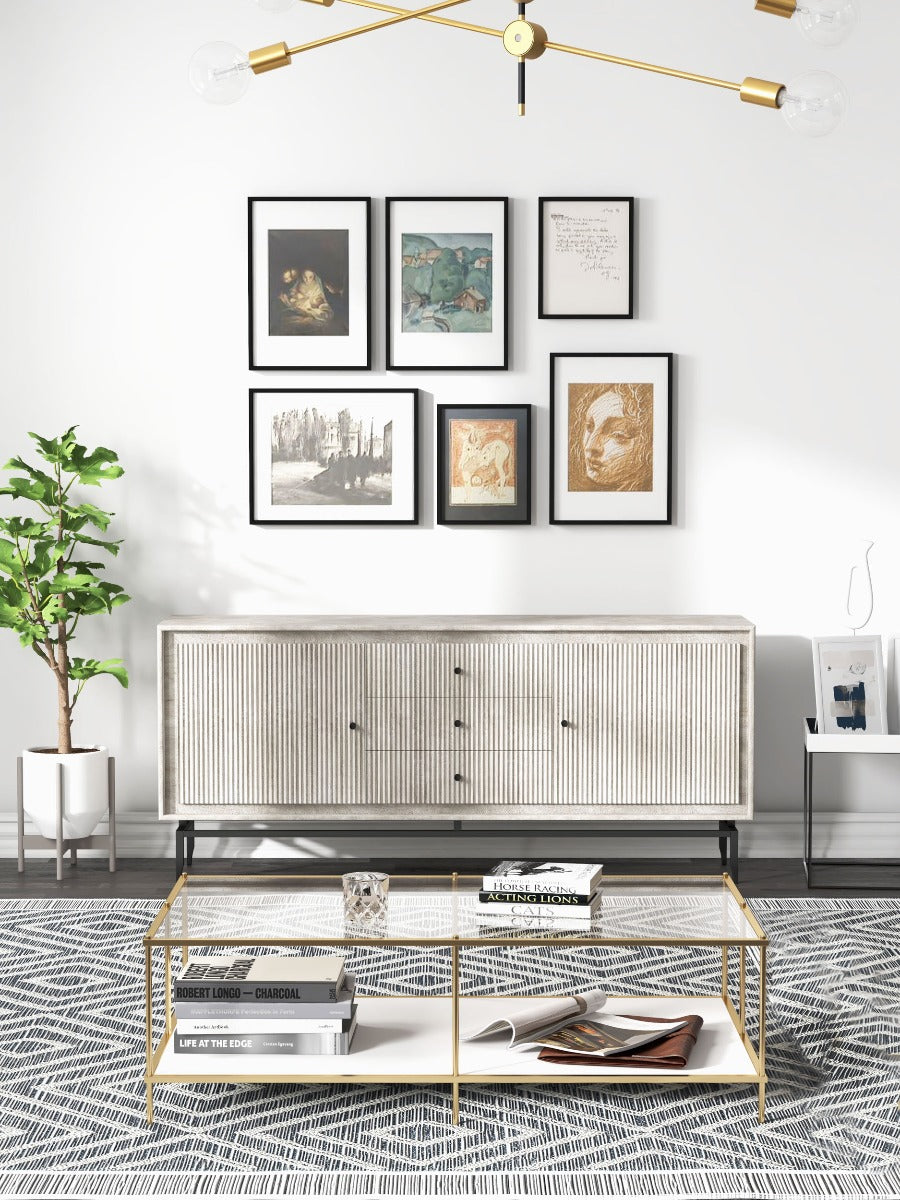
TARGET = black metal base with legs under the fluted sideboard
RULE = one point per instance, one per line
(727, 832)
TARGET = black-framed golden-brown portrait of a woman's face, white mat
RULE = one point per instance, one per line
(611, 439)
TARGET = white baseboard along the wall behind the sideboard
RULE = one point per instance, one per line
(770, 836)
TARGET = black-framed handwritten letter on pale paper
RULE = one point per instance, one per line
(586, 249)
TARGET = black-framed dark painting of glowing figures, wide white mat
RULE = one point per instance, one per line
(310, 284)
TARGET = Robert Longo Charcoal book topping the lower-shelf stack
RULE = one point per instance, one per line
(268, 979)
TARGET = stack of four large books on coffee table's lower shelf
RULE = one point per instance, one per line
(271, 1004)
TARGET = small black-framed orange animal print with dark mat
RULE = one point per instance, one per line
(484, 472)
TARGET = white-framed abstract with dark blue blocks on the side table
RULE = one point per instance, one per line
(851, 695)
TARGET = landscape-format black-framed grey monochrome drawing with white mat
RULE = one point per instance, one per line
(334, 457)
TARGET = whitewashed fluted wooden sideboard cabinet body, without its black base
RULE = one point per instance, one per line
(355, 719)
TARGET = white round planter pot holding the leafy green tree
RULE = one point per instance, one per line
(86, 789)
